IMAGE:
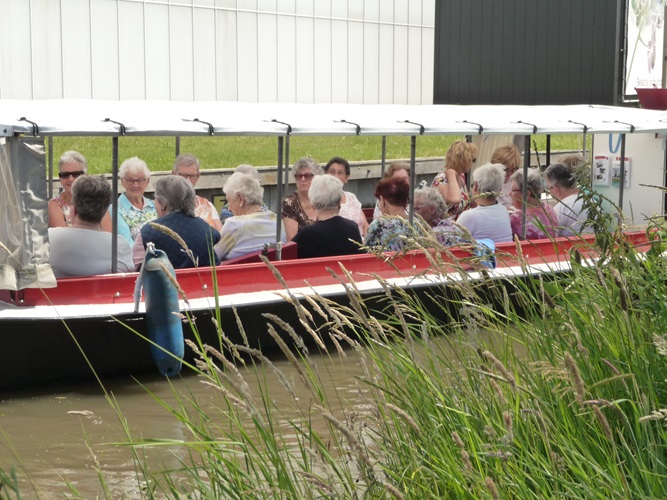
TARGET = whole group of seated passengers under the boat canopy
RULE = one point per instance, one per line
(320, 216)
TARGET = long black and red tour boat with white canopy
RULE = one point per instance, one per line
(77, 328)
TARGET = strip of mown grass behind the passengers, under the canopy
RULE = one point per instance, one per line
(228, 152)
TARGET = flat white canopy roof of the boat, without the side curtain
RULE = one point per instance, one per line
(170, 118)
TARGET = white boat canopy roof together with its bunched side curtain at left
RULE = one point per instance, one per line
(23, 248)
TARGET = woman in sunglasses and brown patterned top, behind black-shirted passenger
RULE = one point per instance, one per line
(298, 211)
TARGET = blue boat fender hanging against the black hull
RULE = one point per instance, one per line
(163, 317)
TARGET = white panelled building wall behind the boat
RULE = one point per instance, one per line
(356, 51)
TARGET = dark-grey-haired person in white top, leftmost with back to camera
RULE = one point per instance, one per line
(84, 249)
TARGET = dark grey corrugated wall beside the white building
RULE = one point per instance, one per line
(526, 51)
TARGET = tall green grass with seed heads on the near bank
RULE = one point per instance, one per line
(569, 401)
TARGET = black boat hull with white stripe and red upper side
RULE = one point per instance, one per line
(87, 327)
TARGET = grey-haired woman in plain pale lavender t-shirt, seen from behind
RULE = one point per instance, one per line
(489, 219)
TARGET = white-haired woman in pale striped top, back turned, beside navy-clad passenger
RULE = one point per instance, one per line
(251, 226)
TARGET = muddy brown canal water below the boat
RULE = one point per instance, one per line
(64, 436)
